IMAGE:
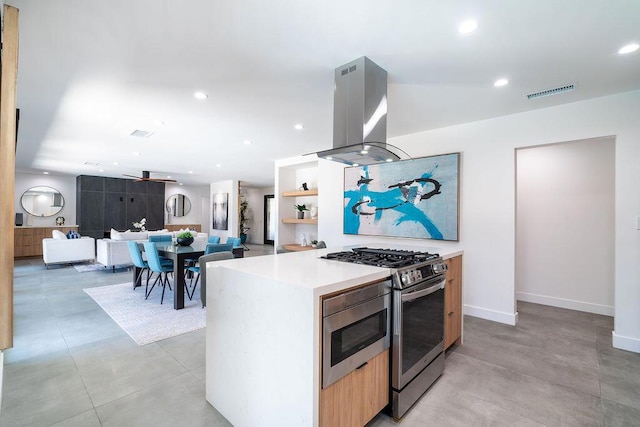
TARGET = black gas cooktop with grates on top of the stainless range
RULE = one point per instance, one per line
(389, 258)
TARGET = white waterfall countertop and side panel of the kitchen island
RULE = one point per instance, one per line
(263, 351)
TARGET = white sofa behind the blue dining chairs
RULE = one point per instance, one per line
(115, 251)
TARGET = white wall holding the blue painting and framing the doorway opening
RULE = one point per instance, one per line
(487, 199)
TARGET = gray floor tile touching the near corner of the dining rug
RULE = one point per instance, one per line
(116, 367)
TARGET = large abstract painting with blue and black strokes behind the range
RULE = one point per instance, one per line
(415, 198)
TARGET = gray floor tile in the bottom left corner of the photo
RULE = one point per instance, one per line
(42, 390)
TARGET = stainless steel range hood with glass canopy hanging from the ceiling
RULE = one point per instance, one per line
(360, 115)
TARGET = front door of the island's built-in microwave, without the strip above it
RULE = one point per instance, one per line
(353, 336)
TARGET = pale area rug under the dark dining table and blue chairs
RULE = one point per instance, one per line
(147, 321)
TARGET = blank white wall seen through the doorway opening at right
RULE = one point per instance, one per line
(565, 225)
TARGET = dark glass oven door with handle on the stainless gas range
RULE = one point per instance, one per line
(418, 329)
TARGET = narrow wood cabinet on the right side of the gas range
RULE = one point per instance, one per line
(453, 302)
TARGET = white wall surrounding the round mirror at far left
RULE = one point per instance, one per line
(66, 185)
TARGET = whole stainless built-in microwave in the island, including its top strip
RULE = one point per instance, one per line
(355, 328)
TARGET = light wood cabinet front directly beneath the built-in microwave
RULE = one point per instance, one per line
(359, 396)
